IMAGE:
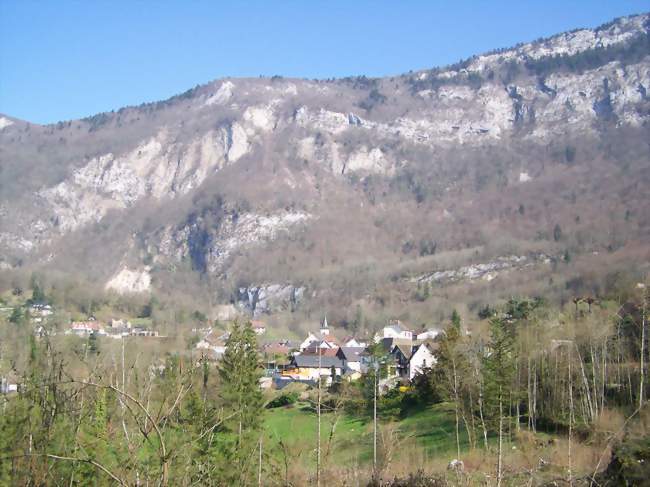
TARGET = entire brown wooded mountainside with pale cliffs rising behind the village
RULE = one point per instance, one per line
(511, 171)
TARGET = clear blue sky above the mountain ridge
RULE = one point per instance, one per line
(68, 59)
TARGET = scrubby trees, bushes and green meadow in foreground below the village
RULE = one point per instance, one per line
(527, 393)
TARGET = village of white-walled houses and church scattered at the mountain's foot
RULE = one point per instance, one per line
(320, 355)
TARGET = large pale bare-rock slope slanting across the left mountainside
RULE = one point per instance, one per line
(157, 168)
